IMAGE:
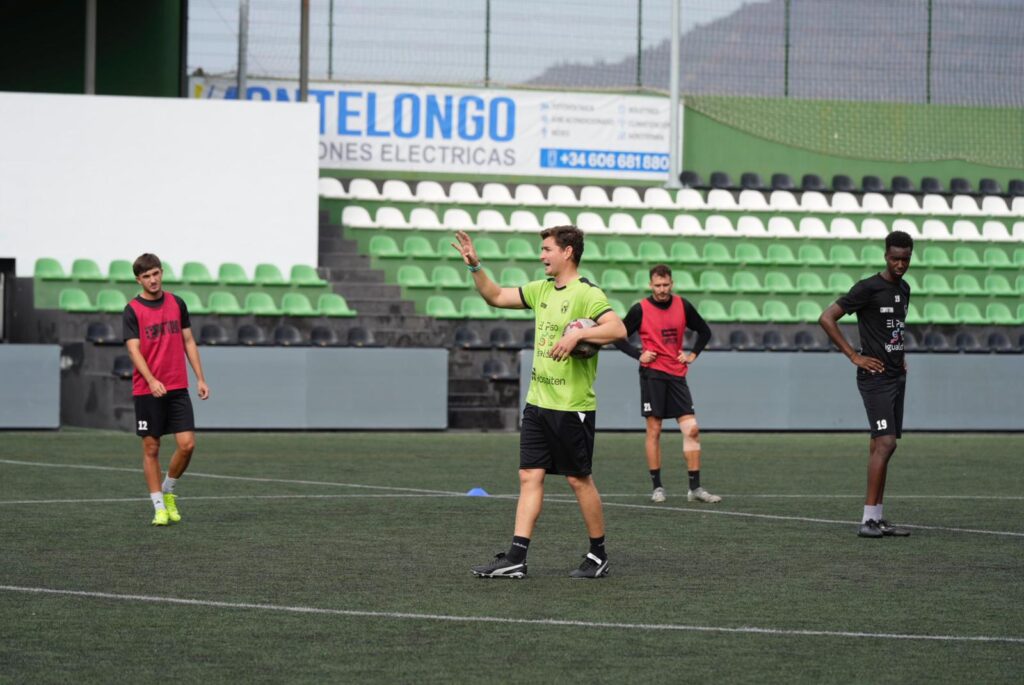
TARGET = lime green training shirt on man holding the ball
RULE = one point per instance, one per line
(569, 386)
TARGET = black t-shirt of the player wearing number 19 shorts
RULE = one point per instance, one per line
(881, 308)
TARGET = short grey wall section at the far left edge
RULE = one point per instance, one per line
(30, 387)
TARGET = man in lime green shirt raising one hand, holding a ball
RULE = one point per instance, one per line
(558, 435)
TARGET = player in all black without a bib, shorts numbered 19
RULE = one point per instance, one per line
(881, 304)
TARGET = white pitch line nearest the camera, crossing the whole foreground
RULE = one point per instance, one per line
(746, 630)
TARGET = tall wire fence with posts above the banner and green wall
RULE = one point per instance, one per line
(944, 52)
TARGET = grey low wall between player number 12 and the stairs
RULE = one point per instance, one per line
(274, 389)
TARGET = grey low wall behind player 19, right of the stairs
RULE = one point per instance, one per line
(812, 392)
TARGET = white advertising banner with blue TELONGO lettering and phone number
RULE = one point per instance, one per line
(487, 132)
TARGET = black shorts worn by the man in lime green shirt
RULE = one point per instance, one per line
(560, 443)
